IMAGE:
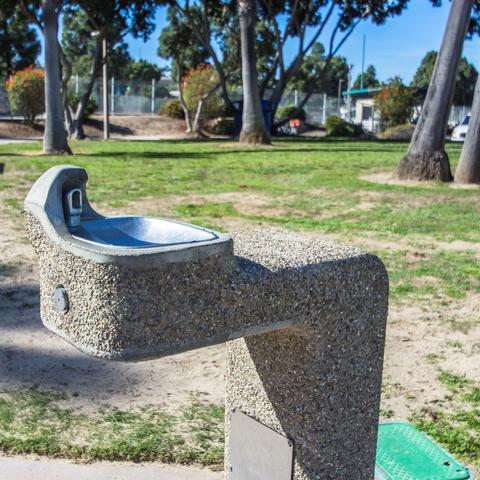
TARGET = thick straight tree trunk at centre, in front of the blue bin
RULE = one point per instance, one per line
(253, 124)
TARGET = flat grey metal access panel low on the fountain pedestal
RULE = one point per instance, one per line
(258, 452)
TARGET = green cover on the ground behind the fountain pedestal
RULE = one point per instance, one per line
(404, 453)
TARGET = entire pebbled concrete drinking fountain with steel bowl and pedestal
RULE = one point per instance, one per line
(304, 322)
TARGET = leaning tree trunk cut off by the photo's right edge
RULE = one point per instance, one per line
(468, 169)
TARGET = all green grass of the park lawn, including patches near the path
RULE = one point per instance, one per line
(301, 184)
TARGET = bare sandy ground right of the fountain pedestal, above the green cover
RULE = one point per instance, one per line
(413, 333)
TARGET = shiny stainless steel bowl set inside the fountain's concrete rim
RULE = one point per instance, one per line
(138, 232)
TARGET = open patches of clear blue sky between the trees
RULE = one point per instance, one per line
(395, 48)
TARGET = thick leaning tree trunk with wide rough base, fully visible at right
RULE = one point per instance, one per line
(426, 158)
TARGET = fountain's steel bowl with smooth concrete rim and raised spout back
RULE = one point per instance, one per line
(58, 203)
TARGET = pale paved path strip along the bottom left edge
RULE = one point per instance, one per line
(27, 469)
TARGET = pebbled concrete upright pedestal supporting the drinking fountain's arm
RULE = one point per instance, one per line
(317, 382)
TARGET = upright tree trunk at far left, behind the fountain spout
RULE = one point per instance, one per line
(55, 136)
